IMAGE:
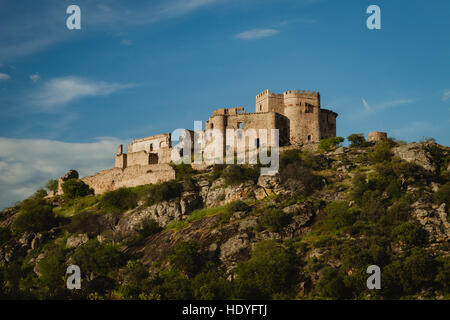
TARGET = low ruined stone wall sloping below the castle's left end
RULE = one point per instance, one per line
(116, 178)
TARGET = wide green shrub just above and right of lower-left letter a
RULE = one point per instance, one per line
(97, 258)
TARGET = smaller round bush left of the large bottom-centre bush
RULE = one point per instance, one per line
(187, 257)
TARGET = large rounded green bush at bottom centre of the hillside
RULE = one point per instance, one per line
(271, 270)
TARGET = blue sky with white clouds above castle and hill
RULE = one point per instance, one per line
(138, 68)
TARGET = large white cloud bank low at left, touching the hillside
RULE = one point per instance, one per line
(27, 164)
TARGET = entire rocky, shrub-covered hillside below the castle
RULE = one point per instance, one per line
(227, 233)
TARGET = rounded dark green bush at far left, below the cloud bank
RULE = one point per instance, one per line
(35, 215)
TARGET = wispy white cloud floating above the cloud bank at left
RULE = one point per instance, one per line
(59, 91)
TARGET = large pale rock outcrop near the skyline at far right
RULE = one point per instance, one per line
(415, 152)
